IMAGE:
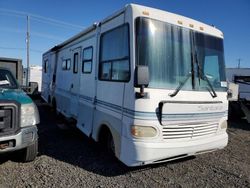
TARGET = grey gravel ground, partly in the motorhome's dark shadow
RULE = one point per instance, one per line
(69, 159)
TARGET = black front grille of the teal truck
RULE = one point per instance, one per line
(9, 118)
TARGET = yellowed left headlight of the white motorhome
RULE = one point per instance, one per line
(143, 131)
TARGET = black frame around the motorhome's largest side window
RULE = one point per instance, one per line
(117, 59)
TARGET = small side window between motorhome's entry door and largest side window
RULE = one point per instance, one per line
(87, 60)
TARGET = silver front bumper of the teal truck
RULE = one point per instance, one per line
(24, 138)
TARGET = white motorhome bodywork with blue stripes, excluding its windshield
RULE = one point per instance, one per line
(189, 123)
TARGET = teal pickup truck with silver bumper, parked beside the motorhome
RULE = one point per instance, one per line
(18, 119)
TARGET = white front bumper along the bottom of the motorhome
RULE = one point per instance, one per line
(135, 153)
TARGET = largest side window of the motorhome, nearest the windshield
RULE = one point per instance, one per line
(114, 55)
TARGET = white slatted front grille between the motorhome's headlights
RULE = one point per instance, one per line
(189, 130)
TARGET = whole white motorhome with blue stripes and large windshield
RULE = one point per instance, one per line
(149, 83)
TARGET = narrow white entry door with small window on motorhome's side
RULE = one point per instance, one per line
(75, 82)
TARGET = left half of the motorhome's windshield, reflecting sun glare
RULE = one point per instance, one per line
(166, 50)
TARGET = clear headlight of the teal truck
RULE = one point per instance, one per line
(29, 115)
